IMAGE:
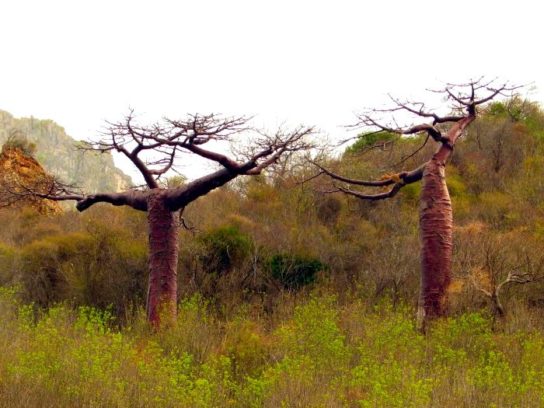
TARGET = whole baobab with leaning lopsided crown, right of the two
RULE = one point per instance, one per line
(435, 211)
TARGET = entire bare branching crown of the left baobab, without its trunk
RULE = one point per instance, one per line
(154, 150)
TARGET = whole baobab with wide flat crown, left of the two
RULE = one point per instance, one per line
(154, 150)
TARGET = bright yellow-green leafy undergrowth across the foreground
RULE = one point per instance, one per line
(314, 352)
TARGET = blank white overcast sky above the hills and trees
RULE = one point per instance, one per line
(313, 62)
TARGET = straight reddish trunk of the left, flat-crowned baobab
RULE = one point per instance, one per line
(163, 260)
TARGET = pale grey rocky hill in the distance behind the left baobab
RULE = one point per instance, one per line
(57, 152)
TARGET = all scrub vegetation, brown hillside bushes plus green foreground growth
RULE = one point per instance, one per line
(290, 296)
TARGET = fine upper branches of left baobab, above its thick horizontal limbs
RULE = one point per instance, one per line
(169, 139)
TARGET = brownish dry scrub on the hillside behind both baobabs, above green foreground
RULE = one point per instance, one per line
(259, 237)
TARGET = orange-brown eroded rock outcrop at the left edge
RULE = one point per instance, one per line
(20, 173)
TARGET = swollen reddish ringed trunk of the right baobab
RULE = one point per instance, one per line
(436, 227)
